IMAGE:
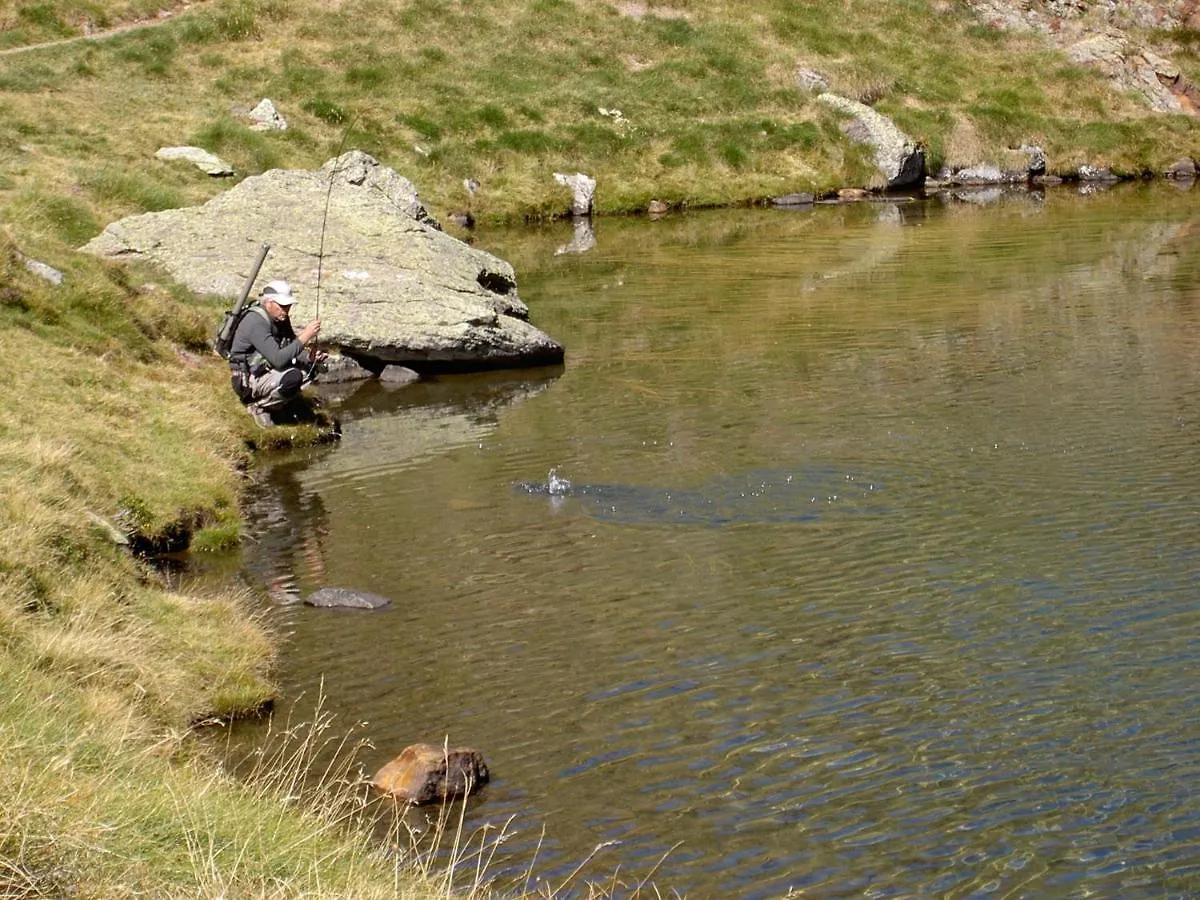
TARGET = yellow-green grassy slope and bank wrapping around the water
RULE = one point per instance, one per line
(118, 424)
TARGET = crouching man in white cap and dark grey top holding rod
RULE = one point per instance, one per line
(269, 363)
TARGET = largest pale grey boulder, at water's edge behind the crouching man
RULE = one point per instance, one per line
(393, 287)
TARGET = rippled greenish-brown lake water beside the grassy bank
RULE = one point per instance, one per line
(878, 574)
